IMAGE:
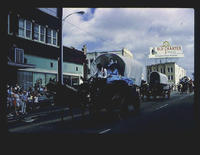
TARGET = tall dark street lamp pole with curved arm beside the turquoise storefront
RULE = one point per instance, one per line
(60, 60)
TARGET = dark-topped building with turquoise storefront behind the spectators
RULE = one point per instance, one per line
(33, 36)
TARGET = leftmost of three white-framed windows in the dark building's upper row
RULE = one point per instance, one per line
(25, 28)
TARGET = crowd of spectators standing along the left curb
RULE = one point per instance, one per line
(20, 101)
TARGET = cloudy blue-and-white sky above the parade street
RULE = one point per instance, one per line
(136, 29)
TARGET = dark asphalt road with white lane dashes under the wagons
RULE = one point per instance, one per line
(174, 115)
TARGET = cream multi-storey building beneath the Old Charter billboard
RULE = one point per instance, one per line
(170, 69)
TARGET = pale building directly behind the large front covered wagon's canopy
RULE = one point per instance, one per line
(90, 57)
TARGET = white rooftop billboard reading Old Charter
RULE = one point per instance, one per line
(166, 51)
